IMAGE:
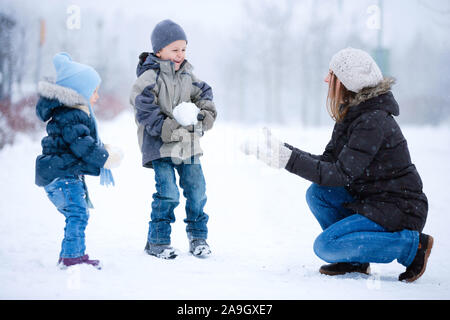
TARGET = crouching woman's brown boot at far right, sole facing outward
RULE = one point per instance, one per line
(417, 267)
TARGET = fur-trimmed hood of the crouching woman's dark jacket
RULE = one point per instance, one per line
(379, 98)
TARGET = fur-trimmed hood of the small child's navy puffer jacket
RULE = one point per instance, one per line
(53, 96)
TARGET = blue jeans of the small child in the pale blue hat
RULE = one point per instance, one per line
(68, 195)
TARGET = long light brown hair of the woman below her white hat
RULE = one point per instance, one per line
(338, 98)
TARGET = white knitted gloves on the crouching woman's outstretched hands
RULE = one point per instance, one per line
(268, 149)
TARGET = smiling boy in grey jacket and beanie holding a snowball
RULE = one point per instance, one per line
(172, 110)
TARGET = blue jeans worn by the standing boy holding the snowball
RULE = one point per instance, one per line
(166, 199)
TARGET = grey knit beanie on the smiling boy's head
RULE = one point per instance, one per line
(166, 32)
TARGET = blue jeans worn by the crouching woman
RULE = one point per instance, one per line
(350, 237)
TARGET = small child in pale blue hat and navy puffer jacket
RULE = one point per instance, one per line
(71, 150)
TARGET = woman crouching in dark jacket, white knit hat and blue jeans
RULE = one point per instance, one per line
(366, 193)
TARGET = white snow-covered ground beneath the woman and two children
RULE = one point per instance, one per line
(260, 229)
